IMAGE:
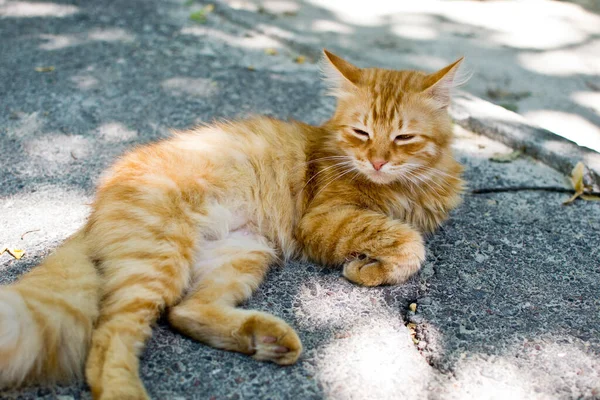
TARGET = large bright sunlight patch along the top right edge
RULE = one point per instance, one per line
(531, 25)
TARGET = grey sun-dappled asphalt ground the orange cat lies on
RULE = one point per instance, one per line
(507, 302)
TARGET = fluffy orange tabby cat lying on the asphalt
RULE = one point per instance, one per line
(191, 225)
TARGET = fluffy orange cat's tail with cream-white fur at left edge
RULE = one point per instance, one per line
(47, 318)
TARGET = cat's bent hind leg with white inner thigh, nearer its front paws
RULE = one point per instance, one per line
(228, 273)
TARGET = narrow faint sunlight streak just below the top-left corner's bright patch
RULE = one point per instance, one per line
(56, 42)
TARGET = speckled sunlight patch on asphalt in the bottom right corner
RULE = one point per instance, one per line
(537, 373)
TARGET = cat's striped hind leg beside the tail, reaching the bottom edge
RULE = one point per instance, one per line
(136, 289)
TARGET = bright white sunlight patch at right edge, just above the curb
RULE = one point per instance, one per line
(571, 126)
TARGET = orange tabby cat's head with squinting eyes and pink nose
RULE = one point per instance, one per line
(393, 125)
